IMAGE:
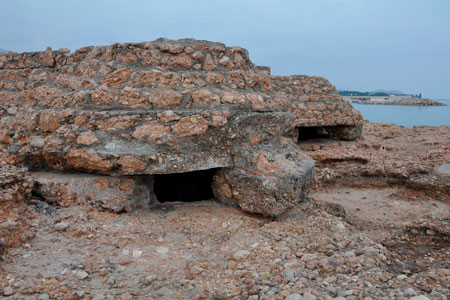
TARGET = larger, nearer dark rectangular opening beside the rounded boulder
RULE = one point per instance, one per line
(184, 187)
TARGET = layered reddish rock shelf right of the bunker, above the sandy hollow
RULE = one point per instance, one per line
(386, 154)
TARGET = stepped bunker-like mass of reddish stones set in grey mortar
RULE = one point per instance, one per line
(126, 112)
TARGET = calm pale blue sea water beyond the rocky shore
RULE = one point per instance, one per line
(407, 116)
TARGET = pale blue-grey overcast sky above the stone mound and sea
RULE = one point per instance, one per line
(357, 44)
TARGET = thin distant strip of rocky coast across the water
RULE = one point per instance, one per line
(392, 100)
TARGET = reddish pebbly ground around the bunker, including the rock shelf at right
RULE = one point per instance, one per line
(377, 226)
